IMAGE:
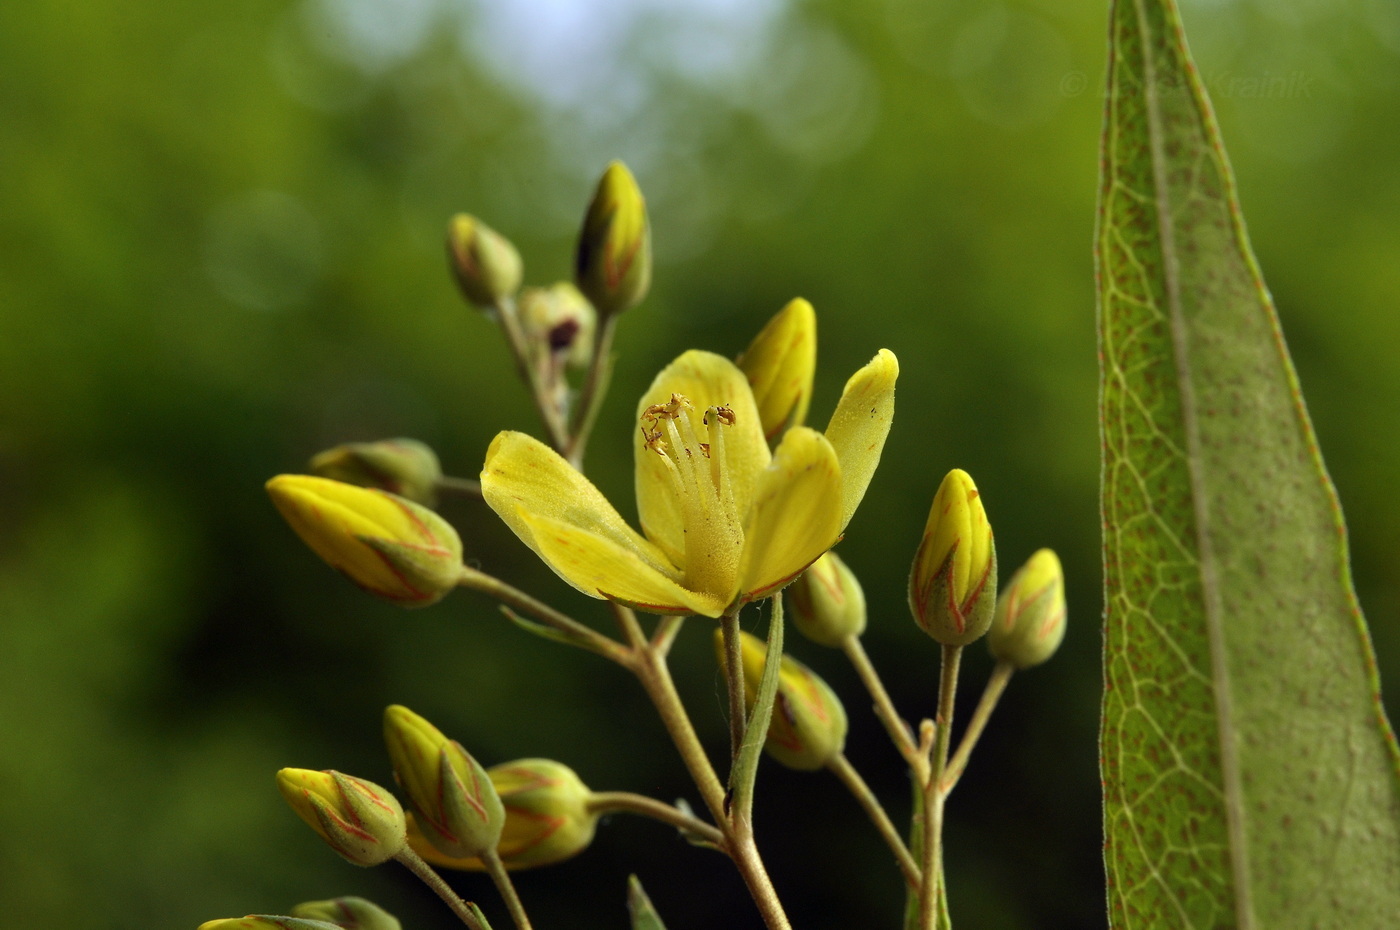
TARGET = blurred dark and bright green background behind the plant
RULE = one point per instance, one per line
(220, 251)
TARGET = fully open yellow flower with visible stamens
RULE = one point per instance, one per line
(723, 520)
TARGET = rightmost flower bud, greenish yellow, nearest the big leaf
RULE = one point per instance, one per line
(1030, 623)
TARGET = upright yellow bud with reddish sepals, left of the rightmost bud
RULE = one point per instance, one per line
(953, 589)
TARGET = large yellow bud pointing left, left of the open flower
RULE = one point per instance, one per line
(387, 546)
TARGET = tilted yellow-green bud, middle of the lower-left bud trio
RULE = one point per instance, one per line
(453, 796)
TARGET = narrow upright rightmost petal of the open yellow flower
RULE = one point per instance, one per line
(860, 425)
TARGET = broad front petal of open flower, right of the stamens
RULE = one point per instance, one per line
(797, 515)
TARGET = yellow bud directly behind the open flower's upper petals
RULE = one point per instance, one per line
(780, 365)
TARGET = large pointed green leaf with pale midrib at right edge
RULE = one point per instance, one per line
(1251, 778)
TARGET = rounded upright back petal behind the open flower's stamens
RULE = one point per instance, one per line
(708, 380)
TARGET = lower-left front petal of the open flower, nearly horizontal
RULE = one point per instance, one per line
(601, 568)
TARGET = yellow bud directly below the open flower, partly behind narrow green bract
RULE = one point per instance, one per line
(808, 726)
